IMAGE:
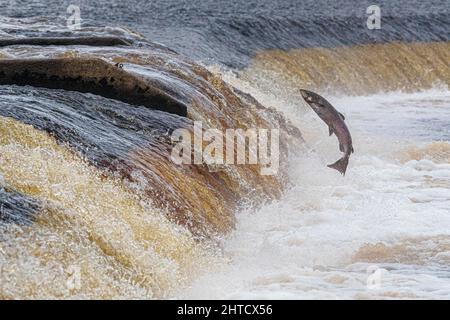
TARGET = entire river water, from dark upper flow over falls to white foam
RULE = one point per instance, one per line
(91, 205)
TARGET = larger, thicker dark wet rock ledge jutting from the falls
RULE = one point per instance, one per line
(92, 75)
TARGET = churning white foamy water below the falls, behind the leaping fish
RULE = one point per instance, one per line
(382, 231)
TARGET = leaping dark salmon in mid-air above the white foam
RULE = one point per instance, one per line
(336, 124)
